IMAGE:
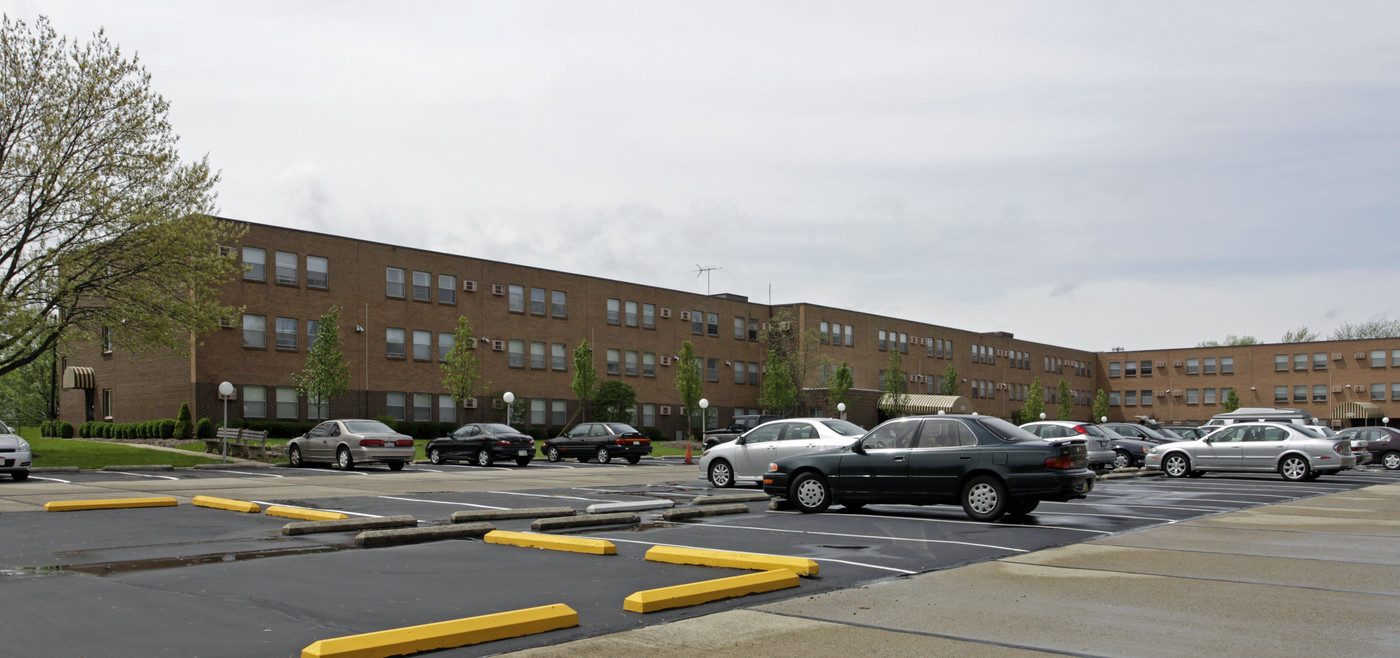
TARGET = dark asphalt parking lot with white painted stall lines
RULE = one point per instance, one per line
(198, 582)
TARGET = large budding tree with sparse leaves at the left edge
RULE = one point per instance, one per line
(103, 230)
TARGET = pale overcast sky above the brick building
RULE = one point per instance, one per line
(1086, 174)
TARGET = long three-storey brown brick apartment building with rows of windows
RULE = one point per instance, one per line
(401, 306)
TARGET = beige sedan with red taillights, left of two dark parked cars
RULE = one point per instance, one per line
(351, 443)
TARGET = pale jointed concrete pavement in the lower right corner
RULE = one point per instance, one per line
(1311, 577)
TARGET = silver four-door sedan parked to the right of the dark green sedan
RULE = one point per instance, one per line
(1297, 453)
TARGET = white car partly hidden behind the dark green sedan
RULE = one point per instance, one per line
(747, 458)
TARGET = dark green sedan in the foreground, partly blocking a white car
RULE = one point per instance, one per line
(990, 467)
